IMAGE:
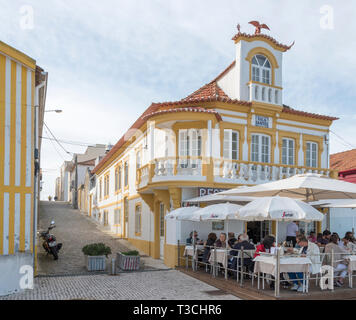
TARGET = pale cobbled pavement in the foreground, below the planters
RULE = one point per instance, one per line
(151, 285)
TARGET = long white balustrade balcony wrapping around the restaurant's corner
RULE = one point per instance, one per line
(222, 171)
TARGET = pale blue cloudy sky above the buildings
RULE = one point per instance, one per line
(109, 60)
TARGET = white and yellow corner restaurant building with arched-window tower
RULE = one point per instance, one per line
(233, 131)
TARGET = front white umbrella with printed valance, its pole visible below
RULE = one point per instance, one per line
(279, 209)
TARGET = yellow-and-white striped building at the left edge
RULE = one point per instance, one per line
(22, 99)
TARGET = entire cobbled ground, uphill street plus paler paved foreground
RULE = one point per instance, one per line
(67, 278)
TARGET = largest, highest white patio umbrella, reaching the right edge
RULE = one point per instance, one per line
(309, 187)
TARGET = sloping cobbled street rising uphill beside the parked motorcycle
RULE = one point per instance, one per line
(75, 230)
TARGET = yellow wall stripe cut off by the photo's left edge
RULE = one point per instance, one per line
(2, 143)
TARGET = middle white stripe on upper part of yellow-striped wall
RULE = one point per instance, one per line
(18, 126)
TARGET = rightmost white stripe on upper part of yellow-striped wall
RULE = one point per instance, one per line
(29, 130)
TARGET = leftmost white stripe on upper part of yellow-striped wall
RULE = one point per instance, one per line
(7, 122)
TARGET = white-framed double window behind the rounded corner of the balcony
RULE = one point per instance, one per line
(190, 145)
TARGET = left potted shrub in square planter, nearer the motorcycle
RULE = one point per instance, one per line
(95, 256)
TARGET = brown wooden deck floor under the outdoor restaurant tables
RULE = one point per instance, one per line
(247, 292)
